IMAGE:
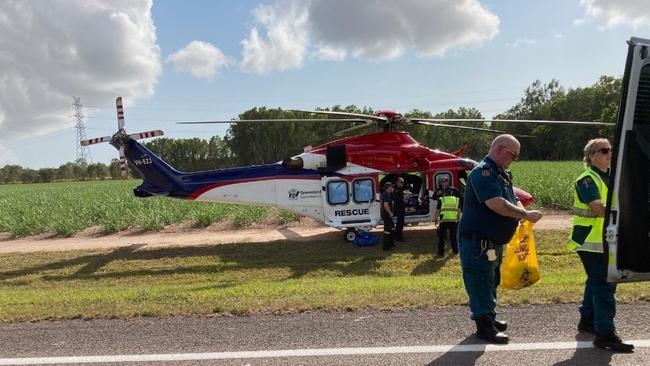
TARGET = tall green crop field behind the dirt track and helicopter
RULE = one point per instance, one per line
(67, 208)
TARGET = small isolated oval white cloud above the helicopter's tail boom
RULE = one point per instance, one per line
(201, 59)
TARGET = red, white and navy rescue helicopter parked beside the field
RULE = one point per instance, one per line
(337, 183)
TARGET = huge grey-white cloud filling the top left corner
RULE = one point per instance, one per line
(52, 50)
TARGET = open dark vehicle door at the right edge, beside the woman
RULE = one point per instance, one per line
(627, 219)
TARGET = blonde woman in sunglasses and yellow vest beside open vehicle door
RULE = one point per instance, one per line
(598, 306)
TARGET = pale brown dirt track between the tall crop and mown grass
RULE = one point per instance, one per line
(220, 233)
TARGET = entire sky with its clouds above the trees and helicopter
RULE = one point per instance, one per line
(212, 60)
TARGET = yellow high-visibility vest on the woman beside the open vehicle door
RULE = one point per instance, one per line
(583, 216)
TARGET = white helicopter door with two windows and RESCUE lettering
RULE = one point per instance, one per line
(350, 204)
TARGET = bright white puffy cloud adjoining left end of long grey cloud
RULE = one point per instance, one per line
(285, 44)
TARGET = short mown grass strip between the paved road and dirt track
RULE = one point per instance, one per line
(275, 277)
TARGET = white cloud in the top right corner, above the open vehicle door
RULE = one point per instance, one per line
(634, 13)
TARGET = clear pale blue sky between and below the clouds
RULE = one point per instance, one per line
(535, 40)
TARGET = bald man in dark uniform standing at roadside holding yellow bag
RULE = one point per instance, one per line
(491, 213)
